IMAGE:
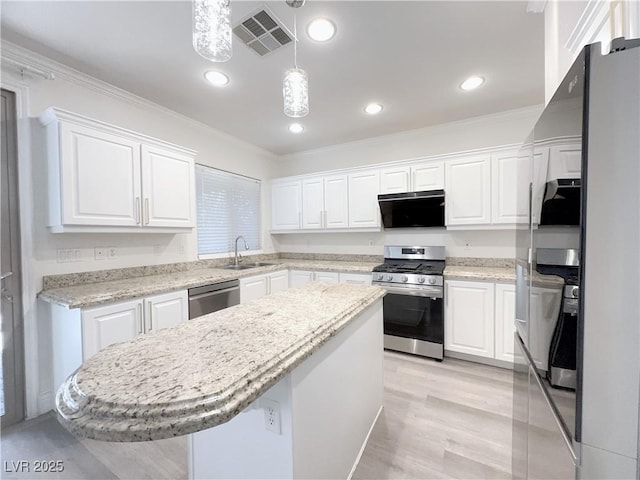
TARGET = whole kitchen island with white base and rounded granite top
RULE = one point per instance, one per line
(287, 386)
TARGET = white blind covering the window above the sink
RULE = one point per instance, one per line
(227, 205)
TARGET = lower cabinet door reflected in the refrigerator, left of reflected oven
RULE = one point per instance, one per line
(544, 310)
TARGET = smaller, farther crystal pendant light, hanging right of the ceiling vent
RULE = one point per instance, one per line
(295, 87)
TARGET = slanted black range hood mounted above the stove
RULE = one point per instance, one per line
(412, 209)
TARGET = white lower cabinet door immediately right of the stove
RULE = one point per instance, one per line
(469, 318)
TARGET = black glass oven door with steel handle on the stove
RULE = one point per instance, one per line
(414, 313)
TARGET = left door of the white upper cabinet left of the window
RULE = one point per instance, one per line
(99, 178)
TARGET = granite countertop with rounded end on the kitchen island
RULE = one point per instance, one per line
(203, 372)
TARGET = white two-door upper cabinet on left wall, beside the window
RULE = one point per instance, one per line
(106, 179)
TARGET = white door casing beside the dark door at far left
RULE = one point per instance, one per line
(29, 291)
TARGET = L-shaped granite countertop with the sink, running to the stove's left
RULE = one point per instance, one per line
(92, 294)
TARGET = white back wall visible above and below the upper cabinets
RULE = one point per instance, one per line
(481, 132)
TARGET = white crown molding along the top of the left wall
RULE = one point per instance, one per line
(34, 62)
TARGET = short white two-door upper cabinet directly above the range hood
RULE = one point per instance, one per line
(414, 178)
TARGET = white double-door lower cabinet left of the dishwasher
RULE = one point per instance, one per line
(118, 322)
